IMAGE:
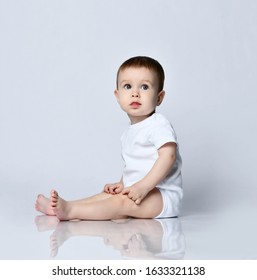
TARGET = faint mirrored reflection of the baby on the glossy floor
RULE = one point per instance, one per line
(134, 238)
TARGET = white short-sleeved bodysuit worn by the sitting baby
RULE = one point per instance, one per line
(140, 143)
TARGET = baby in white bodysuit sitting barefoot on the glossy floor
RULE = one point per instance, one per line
(151, 183)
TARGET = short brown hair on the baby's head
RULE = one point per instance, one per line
(147, 62)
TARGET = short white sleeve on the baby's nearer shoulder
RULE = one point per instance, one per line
(162, 133)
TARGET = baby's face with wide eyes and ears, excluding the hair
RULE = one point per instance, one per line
(137, 93)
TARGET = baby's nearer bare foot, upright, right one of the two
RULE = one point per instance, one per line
(60, 207)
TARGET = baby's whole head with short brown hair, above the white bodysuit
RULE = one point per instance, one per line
(139, 87)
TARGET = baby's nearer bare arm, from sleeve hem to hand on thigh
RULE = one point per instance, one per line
(161, 168)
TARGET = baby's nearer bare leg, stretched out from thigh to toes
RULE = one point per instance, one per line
(116, 206)
